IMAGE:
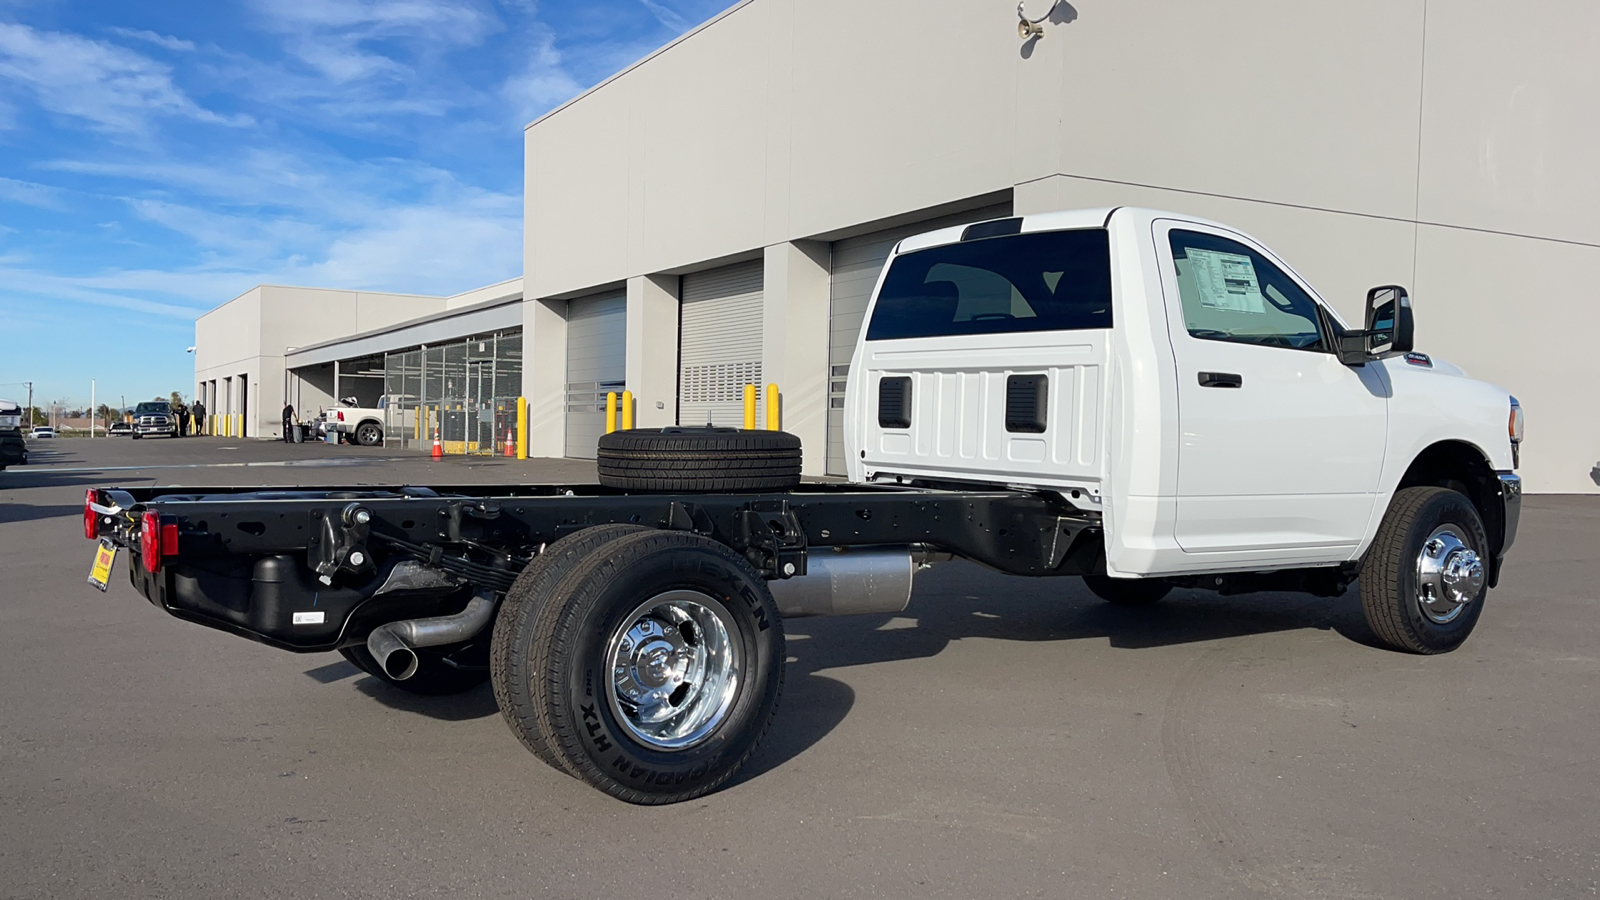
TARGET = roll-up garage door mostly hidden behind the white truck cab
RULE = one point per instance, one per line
(855, 273)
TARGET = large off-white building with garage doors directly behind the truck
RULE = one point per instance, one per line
(718, 214)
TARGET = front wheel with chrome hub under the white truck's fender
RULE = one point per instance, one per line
(1425, 577)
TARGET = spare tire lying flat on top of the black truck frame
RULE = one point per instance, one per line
(671, 460)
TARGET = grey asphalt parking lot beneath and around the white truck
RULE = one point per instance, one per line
(1002, 737)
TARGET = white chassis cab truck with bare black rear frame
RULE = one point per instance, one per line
(1138, 400)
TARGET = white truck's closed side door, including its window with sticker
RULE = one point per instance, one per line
(1281, 446)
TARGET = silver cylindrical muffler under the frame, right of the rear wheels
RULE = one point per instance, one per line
(852, 581)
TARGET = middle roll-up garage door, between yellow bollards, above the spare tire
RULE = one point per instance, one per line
(719, 344)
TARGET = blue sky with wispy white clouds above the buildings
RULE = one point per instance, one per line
(161, 158)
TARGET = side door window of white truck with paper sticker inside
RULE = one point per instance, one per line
(1234, 294)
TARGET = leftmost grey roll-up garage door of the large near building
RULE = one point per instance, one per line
(596, 364)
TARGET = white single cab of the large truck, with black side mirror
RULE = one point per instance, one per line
(1174, 376)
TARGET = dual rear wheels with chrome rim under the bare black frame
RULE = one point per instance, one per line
(654, 669)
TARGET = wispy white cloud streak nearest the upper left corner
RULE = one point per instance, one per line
(111, 87)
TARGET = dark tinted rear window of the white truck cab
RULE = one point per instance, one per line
(1052, 281)
